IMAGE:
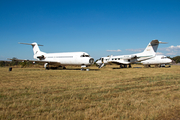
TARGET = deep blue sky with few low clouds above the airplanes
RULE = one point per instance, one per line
(98, 27)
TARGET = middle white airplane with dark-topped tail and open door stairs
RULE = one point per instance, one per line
(125, 60)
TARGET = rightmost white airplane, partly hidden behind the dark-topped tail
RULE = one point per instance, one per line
(158, 60)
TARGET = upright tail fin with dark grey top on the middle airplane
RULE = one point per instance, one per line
(152, 47)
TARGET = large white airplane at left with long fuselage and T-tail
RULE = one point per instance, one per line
(82, 59)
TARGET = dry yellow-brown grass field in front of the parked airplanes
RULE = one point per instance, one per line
(107, 93)
